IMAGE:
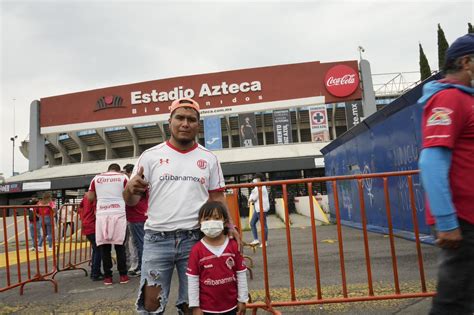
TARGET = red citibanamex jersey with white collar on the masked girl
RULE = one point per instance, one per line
(217, 275)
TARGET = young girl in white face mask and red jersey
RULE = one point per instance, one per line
(217, 280)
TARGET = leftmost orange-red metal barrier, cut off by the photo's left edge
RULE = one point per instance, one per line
(21, 266)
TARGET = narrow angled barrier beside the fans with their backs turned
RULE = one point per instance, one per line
(73, 249)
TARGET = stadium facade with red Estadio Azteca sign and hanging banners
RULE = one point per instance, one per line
(271, 119)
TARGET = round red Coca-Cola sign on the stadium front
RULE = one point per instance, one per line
(341, 80)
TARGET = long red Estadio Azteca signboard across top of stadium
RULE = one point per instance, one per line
(220, 93)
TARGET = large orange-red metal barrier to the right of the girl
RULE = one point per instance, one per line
(269, 305)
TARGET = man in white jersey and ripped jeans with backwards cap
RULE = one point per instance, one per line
(179, 176)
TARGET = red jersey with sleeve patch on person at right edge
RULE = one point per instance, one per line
(448, 121)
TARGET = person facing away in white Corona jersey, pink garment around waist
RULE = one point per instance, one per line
(111, 223)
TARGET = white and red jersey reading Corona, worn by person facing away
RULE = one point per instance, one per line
(108, 188)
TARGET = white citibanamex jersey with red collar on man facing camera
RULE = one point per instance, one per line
(179, 184)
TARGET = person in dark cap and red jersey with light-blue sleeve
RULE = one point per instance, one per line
(447, 169)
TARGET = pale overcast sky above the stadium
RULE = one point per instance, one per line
(57, 47)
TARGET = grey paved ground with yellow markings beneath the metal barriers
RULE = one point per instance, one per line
(78, 295)
